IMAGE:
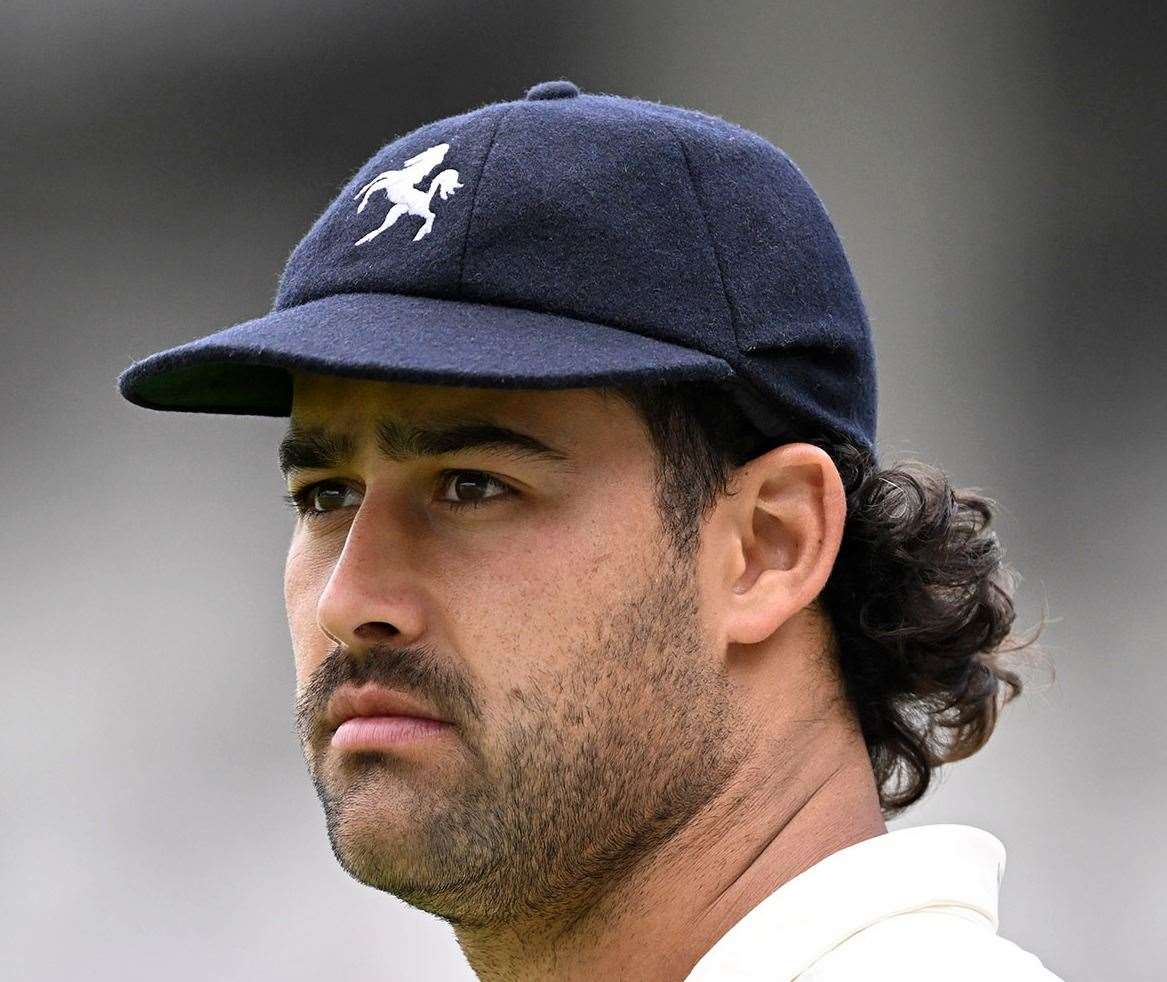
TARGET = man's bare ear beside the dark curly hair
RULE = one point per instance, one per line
(779, 538)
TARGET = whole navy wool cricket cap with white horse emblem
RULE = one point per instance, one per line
(563, 240)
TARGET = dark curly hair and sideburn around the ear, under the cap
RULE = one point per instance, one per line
(919, 603)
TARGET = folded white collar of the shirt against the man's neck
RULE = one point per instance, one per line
(939, 866)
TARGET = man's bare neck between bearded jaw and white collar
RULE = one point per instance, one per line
(781, 816)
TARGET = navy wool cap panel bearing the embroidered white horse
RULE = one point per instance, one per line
(345, 253)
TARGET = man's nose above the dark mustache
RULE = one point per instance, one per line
(374, 594)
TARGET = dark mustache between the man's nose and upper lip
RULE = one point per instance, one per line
(418, 671)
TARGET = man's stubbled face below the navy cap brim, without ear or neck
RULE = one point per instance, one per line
(551, 624)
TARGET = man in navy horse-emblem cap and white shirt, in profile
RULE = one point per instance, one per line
(614, 645)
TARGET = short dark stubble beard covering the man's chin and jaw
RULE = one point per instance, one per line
(597, 771)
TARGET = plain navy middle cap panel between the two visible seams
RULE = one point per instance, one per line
(585, 208)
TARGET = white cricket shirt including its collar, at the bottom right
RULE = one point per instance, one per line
(910, 906)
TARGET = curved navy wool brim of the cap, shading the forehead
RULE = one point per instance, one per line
(246, 370)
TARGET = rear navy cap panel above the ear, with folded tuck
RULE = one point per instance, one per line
(798, 312)
